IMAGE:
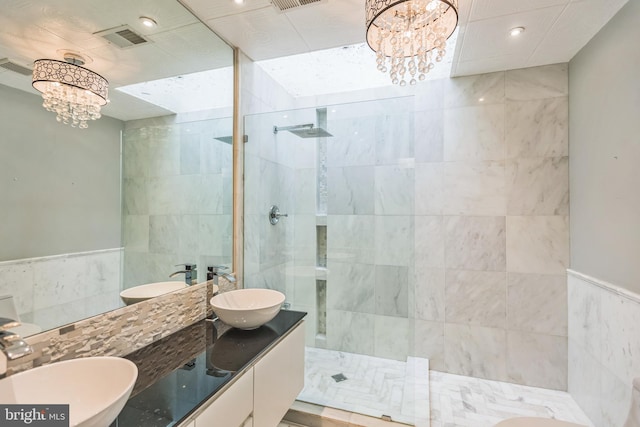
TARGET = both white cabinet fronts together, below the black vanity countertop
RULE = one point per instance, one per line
(261, 396)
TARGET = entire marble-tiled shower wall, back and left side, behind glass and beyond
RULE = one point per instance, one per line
(447, 224)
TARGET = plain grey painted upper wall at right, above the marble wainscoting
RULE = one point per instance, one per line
(604, 120)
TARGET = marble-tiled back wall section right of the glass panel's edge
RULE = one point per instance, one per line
(491, 226)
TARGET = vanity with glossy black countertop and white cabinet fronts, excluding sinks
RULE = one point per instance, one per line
(209, 374)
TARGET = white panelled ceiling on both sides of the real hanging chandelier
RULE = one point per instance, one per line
(555, 29)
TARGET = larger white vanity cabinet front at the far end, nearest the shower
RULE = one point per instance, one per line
(278, 379)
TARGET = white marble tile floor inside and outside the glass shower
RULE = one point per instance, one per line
(454, 400)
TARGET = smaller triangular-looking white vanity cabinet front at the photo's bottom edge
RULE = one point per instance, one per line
(232, 408)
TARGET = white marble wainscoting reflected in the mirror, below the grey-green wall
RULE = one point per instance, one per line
(55, 290)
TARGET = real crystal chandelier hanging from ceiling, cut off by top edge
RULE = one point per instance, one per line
(408, 36)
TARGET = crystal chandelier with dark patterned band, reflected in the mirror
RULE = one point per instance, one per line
(73, 92)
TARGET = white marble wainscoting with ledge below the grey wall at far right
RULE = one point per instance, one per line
(604, 338)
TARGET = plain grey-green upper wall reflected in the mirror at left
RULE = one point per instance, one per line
(59, 186)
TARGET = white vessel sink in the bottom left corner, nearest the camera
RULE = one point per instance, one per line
(95, 388)
